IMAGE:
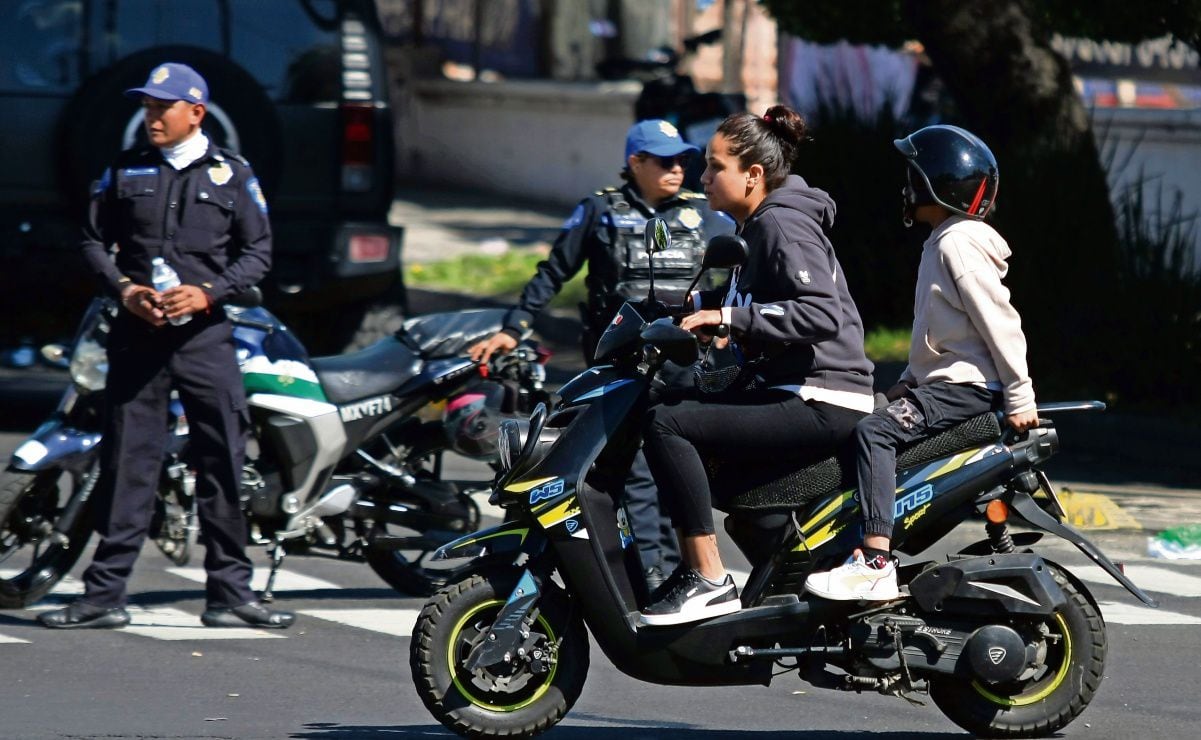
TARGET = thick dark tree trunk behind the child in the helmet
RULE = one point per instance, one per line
(1054, 204)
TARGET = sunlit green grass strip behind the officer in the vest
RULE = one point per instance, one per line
(500, 277)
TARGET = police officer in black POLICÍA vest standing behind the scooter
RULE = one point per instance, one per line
(607, 232)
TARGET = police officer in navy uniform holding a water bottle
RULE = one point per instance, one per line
(202, 210)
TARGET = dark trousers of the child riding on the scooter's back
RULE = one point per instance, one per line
(922, 413)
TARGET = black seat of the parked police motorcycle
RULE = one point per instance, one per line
(374, 371)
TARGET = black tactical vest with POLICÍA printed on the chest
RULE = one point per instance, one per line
(629, 274)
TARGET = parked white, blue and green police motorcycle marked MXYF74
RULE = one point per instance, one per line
(345, 452)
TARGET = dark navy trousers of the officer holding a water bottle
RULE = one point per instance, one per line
(199, 361)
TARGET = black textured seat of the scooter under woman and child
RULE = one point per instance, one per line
(786, 486)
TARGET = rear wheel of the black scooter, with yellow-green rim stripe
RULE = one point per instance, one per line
(1073, 644)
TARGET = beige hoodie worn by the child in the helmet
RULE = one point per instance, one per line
(965, 330)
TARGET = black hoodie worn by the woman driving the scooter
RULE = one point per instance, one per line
(791, 305)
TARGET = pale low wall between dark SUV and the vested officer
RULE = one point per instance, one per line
(536, 140)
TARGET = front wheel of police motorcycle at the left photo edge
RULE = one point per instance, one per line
(31, 505)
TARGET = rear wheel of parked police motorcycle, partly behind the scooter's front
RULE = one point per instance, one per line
(413, 570)
